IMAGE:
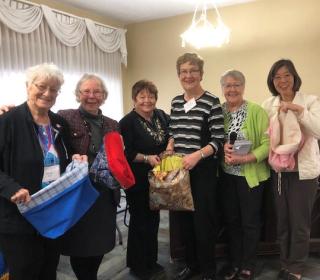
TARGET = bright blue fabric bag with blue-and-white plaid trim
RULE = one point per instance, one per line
(57, 207)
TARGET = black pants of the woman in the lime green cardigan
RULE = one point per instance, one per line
(242, 207)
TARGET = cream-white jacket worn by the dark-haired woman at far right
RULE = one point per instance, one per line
(308, 156)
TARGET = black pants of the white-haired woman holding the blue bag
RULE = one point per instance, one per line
(30, 257)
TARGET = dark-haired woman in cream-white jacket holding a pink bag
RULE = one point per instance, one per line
(295, 187)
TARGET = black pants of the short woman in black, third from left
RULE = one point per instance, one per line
(142, 249)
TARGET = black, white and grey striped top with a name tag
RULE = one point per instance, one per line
(186, 128)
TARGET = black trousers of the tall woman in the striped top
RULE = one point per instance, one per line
(199, 227)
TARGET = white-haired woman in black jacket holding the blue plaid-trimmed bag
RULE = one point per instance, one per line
(33, 152)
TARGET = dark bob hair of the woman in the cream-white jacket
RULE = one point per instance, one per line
(292, 70)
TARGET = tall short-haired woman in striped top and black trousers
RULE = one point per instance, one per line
(196, 131)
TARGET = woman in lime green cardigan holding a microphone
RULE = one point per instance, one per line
(245, 170)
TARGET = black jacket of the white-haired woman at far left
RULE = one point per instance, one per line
(21, 161)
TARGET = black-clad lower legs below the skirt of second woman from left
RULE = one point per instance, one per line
(86, 268)
